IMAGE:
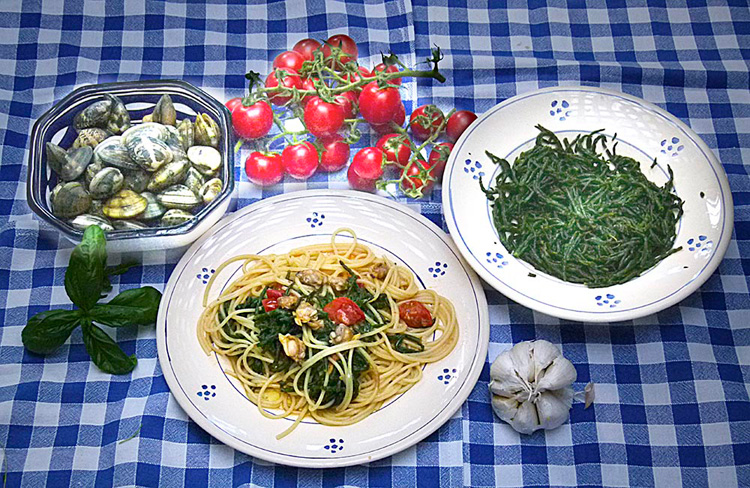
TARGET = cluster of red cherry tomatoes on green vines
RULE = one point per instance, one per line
(330, 94)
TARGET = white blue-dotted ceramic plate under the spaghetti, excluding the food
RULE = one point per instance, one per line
(277, 225)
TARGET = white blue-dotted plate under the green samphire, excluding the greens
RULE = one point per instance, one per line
(644, 132)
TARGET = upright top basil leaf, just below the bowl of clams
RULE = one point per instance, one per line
(84, 278)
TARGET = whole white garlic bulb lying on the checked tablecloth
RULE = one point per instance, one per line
(531, 386)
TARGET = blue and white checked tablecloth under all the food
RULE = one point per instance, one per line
(672, 397)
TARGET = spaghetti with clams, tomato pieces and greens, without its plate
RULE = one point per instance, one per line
(329, 331)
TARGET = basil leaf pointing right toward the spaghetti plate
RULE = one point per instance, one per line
(131, 307)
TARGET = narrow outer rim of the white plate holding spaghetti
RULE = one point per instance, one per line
(410, 439)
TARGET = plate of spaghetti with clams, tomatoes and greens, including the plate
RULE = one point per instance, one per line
(322, 329)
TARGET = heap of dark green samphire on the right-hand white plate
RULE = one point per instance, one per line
(580, 212)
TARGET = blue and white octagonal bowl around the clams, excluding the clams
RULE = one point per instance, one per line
(139, 97)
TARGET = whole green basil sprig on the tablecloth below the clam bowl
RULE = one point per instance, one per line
(86, 282)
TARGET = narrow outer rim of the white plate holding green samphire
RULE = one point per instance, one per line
(576, 315)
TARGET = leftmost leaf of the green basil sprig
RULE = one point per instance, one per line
(46, 331)
